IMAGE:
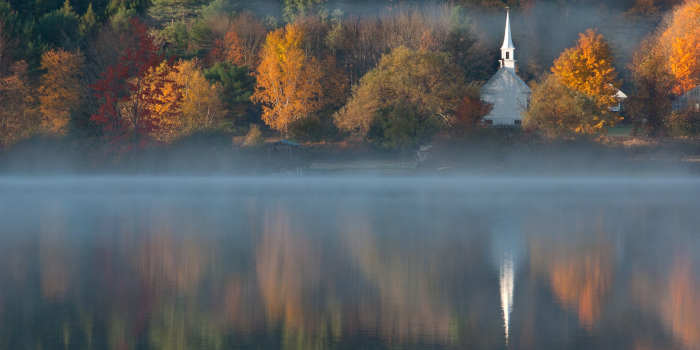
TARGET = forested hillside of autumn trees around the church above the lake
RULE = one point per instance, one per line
(123, 75)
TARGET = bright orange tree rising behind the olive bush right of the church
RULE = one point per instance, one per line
(588, 69)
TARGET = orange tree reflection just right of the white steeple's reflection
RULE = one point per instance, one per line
(579, 278)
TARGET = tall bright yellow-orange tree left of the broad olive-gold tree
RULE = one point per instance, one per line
(288, 80)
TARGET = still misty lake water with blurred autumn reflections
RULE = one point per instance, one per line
(349, 263)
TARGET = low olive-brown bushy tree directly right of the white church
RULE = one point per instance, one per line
(558, 111)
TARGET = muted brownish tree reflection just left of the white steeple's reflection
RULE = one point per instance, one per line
(408, 308)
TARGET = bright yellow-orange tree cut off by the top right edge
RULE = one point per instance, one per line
(681, 43)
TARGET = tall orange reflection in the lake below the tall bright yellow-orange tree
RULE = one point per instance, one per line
(286, 267)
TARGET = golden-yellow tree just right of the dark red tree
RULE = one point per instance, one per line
(202, 107)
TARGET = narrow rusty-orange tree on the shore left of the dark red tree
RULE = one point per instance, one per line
(60, 90)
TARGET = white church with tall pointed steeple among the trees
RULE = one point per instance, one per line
(508, 94)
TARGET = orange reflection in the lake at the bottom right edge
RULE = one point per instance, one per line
(681, 306)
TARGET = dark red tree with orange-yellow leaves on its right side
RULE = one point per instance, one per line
(130, 88)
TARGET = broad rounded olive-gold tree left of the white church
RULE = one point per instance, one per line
(426, 81)
